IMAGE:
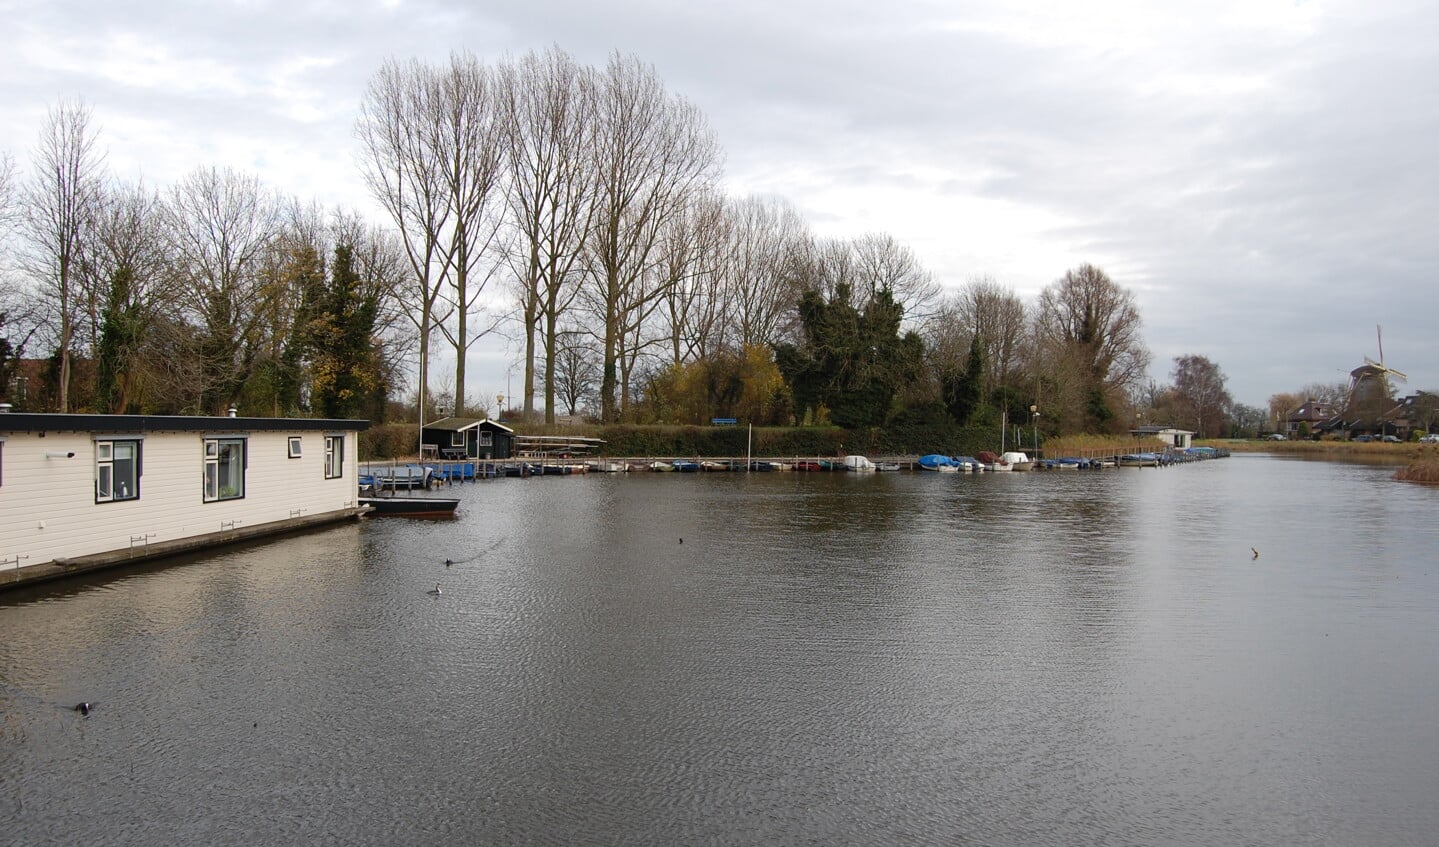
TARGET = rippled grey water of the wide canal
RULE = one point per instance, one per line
(761, 659)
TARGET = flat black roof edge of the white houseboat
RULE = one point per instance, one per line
(29, 422)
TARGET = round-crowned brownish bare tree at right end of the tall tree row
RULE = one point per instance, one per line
(1090, 329)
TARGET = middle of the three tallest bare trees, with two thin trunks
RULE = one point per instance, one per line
(550, 103)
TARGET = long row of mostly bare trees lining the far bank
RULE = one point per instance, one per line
(581, 212)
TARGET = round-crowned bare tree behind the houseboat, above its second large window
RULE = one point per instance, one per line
(221, 228)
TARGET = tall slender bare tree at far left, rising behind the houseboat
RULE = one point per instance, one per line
(58, 205)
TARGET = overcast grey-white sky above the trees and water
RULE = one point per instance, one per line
(1263, 175)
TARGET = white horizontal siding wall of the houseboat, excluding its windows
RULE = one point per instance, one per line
(48, 505)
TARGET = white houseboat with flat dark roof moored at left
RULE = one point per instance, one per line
(88, 491)
